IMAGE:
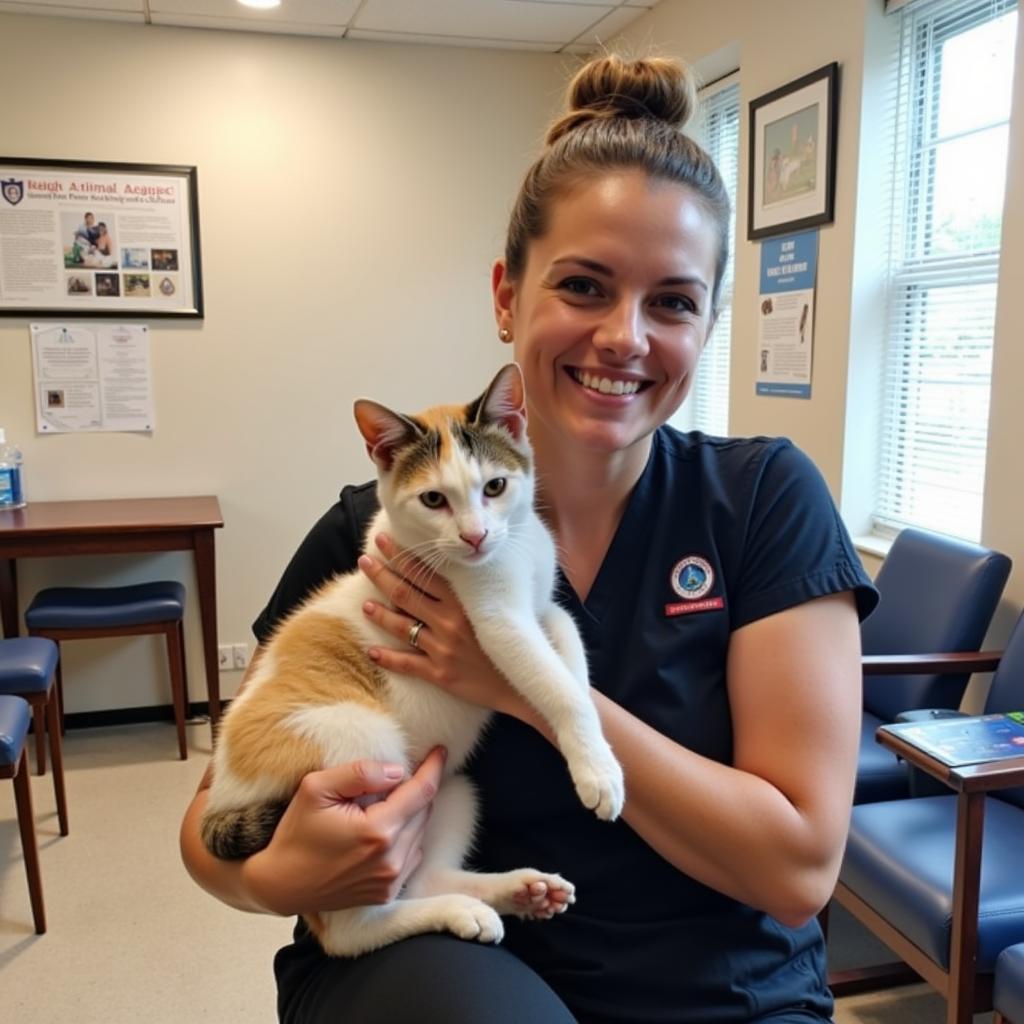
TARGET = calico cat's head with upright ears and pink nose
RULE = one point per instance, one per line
(456, 481)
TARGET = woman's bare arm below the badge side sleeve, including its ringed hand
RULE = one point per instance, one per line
(770, 830)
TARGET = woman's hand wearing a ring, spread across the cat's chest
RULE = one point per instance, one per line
(447, 653)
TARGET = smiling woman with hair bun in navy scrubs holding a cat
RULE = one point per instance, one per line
(717, 594)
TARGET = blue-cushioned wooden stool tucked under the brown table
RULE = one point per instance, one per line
(87, 613)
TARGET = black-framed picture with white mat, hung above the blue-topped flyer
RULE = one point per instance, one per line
(793, 156)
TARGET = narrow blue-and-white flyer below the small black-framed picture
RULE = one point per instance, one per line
(786, 316)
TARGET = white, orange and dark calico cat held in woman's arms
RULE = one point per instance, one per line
(456, 489)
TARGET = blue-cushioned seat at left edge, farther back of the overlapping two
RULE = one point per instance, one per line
(28, 668)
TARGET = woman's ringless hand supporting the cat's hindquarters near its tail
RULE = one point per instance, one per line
(330, 852)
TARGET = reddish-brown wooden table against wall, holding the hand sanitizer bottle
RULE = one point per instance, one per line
(48, 530)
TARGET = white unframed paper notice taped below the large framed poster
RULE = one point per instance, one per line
(92, 377)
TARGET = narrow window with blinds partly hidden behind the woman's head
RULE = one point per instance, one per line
(707, 408)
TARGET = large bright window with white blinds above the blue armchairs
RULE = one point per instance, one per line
(951, 114)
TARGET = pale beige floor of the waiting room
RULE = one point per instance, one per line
(132, 938)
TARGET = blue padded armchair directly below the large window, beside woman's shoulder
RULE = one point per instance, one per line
(937, 595)
